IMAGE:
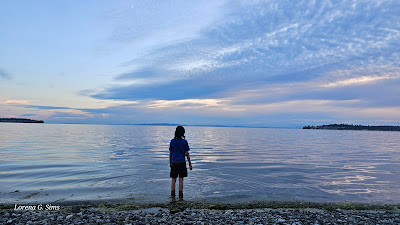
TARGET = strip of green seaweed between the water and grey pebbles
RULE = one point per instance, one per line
(178, 205)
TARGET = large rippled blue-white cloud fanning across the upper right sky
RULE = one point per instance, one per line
(269, 43)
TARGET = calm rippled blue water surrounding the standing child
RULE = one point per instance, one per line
(54, 162)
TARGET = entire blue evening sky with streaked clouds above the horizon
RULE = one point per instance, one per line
(236, 63)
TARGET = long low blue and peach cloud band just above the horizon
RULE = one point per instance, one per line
(227, 111)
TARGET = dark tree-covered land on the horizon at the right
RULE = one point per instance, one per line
(353, 127)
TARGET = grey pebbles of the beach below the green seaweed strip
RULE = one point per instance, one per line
(157, 215)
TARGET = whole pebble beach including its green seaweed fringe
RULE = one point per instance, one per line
(186, 212)
